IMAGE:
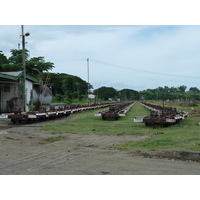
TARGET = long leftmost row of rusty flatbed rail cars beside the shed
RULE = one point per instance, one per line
(54, 112)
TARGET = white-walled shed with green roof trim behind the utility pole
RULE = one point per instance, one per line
(11, 92)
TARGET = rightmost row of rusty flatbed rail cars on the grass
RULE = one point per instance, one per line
(164, 116)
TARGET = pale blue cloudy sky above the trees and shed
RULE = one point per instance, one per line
(134, 57)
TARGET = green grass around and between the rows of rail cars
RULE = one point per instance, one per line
(182, 136)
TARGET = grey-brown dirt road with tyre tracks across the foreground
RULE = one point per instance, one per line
(24, 151)
